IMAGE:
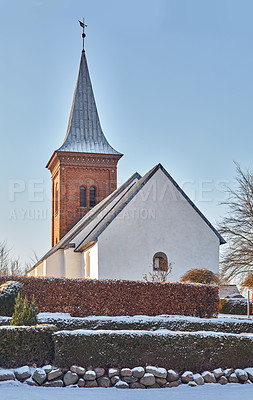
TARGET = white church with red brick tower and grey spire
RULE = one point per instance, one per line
(102, 231)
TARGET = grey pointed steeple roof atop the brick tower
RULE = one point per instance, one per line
(84, 133)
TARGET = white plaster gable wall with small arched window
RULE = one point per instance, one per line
(158, 219)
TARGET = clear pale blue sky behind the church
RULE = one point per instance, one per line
(172, 81)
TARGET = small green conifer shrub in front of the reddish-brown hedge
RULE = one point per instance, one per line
(24, 313)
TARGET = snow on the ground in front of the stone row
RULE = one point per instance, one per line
(231, 391)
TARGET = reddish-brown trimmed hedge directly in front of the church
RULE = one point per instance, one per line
(84, 297)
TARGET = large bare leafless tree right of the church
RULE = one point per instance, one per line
(237, 228)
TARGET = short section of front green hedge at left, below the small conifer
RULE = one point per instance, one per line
(21, 345)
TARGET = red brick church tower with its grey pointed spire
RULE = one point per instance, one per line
(84, 168)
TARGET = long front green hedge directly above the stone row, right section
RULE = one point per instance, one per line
(180, 351)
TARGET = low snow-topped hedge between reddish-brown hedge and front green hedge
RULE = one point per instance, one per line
(170, 322)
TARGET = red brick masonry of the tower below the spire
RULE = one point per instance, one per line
(70, 171)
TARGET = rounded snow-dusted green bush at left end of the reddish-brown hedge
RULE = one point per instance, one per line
(8, 293)
